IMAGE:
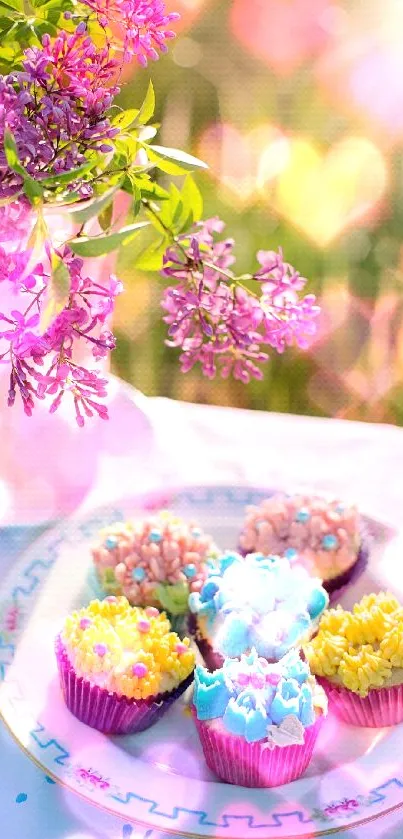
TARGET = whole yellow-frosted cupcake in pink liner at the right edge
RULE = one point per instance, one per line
(358, 658)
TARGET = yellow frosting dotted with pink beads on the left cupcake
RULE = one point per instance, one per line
(127, 650)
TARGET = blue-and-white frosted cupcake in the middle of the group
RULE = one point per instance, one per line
(255, 601)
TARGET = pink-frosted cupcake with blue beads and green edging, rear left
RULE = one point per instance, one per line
(156, 562)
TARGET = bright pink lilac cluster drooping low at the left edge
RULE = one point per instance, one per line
(42, 358)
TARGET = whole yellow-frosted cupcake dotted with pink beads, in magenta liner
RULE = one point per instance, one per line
(121, 667)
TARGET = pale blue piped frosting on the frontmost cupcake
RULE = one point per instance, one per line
(260, 701)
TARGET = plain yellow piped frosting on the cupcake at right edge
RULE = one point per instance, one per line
(362, 649)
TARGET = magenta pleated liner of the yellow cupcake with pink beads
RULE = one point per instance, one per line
(106, 711)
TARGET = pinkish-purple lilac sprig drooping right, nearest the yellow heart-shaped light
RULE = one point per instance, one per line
(217, 321)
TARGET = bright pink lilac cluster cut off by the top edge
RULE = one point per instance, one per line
(143, 25)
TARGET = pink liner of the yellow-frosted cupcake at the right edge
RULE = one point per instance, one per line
(382, 706)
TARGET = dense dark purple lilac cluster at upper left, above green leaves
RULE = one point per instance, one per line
(56, 107)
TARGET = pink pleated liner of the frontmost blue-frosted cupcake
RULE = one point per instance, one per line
(251, 764)
